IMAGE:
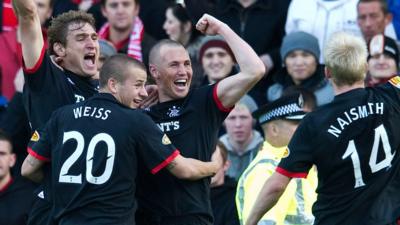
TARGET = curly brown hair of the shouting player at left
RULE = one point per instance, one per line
(58, 30)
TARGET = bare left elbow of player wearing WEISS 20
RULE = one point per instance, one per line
(31, 169)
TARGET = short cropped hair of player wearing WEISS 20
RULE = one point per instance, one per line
(116, 66)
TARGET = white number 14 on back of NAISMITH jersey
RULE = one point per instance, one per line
(380, 135)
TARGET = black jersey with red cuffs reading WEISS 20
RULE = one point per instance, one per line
(94, 148)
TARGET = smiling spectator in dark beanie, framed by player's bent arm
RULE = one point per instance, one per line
(217, 60)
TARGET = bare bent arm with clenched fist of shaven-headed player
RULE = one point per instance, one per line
(252, 69)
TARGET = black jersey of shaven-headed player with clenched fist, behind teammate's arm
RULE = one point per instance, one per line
(192, 123)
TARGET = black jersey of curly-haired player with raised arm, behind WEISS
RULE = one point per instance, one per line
(48, 87)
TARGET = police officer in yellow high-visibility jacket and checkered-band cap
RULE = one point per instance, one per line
(279, 119)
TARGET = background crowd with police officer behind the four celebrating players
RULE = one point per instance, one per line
(288, 36)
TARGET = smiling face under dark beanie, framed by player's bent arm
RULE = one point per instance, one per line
(217, 63)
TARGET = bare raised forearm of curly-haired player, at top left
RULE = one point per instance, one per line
(31, 31)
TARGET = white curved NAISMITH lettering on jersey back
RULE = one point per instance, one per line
(354, 114)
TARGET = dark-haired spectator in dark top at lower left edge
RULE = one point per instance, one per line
(16, 193)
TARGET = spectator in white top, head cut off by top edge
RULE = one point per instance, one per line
(322, 18)
